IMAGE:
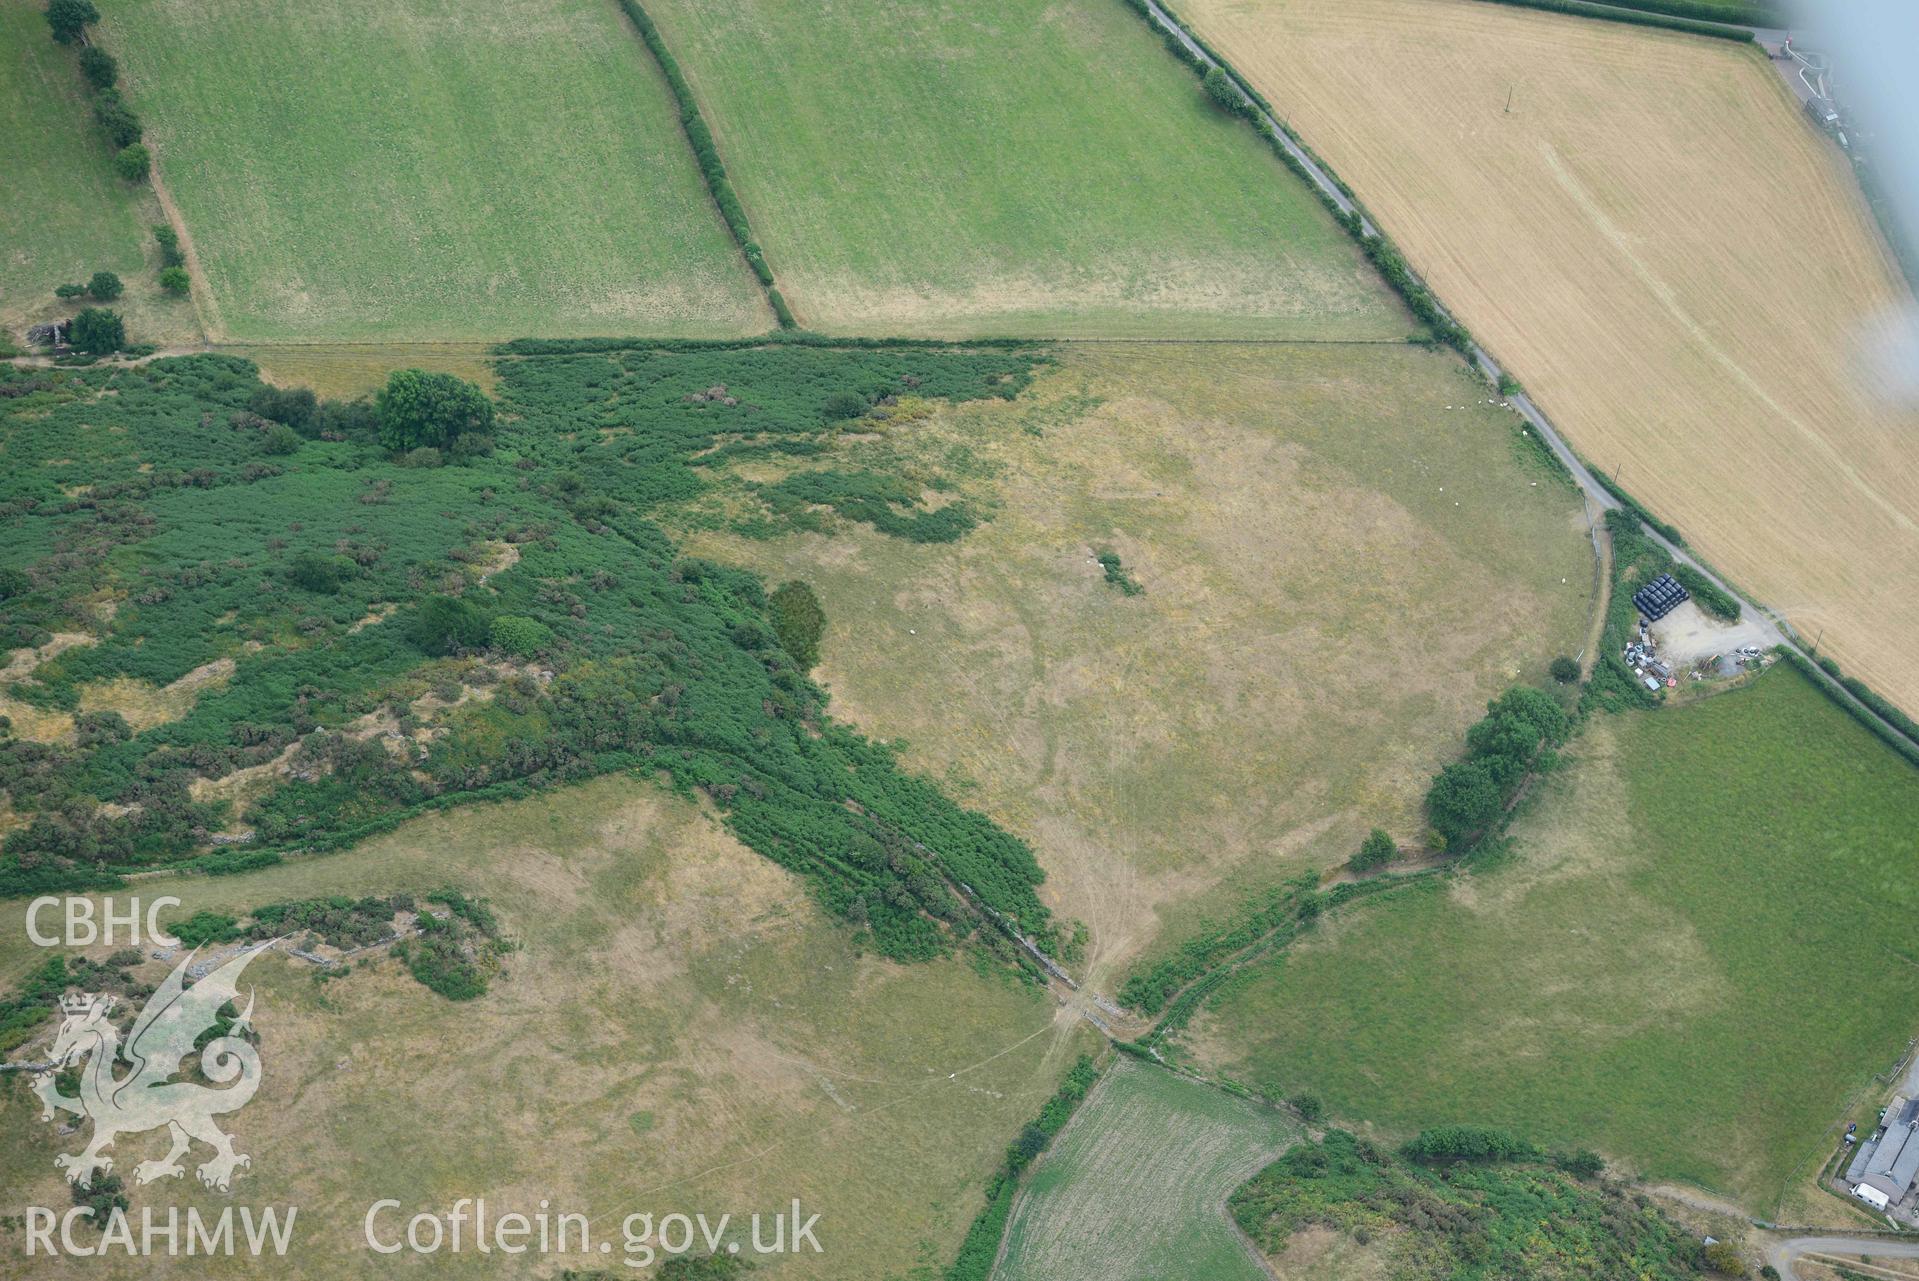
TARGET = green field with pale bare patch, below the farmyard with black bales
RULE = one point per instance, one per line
(1699, 952)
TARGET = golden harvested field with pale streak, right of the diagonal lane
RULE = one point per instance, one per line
(1665, 252)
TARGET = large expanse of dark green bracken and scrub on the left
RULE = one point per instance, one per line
(657, 663)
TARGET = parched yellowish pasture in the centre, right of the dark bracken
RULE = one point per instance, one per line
(1346, 551)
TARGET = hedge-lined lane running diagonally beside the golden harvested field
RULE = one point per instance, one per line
(1340, 198)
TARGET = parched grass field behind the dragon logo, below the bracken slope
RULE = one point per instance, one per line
(680, 1031)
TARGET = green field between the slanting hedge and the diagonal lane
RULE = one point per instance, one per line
(1024, 168)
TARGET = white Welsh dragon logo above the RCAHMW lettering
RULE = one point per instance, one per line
(149, 1096)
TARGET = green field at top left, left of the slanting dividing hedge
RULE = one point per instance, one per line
(431, 172)
